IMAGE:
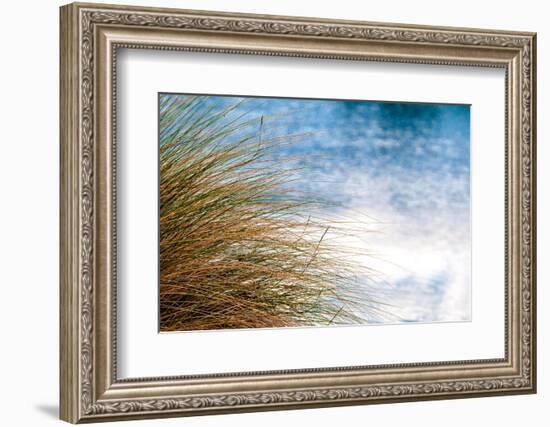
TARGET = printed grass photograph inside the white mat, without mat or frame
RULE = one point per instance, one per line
(292, 212)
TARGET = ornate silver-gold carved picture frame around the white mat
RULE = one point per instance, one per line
(90, 36)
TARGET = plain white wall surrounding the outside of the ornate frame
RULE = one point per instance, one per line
(29, 215)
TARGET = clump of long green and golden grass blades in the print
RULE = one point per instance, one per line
(236, 247)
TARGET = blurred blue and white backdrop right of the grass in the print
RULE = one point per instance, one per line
(404, 170)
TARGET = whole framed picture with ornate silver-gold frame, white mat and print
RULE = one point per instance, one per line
(265, 212)
